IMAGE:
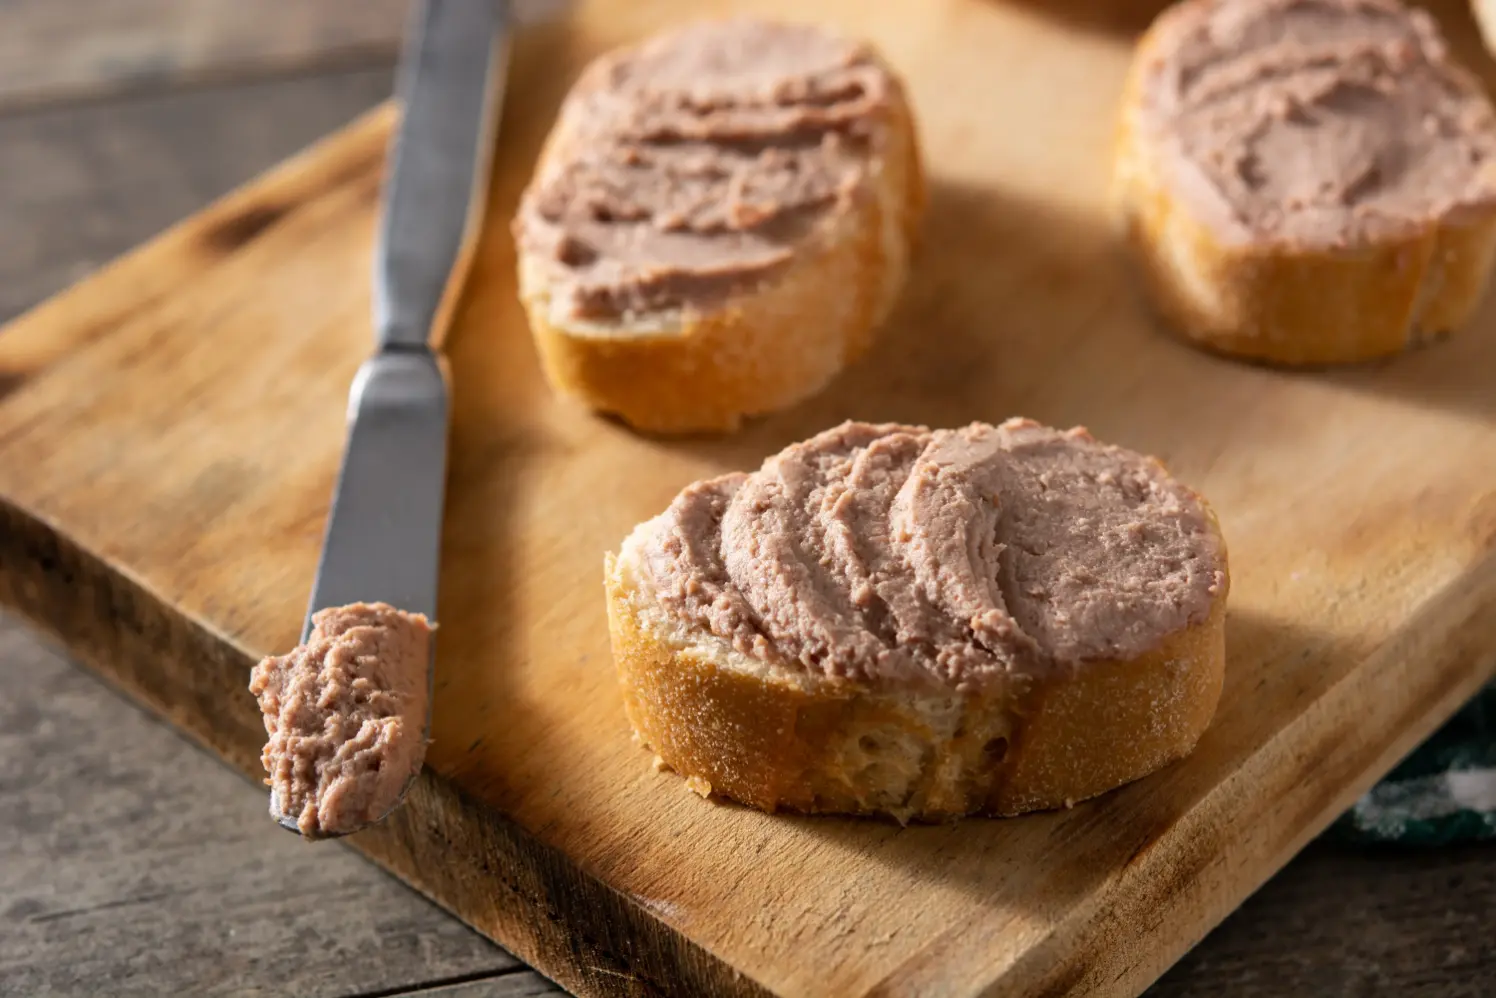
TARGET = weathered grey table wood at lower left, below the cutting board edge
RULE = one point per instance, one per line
(134, 864)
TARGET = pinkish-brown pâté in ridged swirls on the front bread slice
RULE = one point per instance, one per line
(894, 554)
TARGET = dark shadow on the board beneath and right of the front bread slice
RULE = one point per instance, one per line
(1272, 667)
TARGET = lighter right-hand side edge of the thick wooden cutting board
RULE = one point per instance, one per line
(1444, 653)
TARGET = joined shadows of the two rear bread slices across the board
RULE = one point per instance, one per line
(1017, 307)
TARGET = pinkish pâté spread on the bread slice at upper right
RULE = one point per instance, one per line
(1320, 123)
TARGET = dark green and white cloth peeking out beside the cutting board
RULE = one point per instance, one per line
(1446, 792)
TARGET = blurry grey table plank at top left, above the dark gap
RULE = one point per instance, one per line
(53, 52)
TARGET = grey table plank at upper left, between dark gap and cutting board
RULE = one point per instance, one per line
(83, 185)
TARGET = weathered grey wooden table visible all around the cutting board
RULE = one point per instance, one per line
(134, 864)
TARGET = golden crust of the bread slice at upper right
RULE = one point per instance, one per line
(1290, 304)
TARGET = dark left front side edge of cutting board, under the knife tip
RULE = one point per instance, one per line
(604, 945)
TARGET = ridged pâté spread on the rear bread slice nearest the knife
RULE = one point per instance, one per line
(699, 164)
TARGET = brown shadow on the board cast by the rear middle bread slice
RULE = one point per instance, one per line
(1005, 313)
